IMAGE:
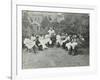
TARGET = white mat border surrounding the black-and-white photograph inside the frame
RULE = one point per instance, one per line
(18, 73)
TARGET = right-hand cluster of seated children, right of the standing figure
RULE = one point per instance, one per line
(70, 42)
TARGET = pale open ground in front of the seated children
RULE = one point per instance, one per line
(54, 57)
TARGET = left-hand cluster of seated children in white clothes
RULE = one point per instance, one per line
(37, 42)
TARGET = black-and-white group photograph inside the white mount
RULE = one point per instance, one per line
(55, 39)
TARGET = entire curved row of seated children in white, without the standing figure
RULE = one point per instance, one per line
(42, 42)
